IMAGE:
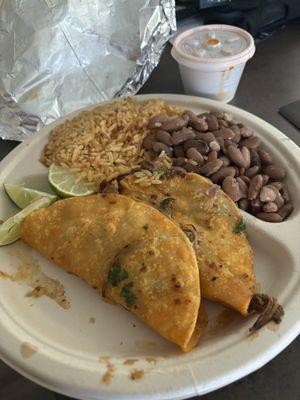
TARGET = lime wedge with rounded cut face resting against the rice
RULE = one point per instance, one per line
(67, 183)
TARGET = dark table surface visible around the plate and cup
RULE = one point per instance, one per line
(270, 80)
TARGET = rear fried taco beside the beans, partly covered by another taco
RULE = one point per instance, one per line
(214, 225)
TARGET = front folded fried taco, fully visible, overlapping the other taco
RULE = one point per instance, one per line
(130, 252)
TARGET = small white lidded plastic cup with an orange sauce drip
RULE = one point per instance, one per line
(212, 58)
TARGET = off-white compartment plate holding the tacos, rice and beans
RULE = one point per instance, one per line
(69, 347)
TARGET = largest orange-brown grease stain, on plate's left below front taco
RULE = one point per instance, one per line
(30, 272)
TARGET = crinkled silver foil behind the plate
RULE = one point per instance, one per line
(57, 56)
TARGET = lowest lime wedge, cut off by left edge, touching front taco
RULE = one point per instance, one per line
(10, 229)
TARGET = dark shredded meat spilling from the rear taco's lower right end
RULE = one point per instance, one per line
(269, 309)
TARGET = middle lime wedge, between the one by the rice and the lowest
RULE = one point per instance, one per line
(23, 196)
